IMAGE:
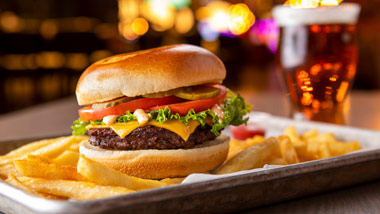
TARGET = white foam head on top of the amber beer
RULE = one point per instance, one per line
(345, 13)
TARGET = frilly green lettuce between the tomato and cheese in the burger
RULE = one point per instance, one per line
(234, 110)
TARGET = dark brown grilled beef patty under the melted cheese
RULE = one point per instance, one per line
(148, 137)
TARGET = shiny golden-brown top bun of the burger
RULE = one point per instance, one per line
(148, 71)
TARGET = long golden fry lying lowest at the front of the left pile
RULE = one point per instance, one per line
(79, 190)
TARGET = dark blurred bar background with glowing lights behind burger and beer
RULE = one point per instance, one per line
(46, 44)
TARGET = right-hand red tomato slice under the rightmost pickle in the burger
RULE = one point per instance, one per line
(197, 105)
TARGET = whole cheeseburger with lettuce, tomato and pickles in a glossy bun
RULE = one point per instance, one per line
(157, 113)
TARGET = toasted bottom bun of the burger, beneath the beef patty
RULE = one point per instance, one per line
(157, 164)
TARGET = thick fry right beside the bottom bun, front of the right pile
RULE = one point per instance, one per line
(253, 157)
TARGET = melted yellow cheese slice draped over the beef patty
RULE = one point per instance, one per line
(124, 129)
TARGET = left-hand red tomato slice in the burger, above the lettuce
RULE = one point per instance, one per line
(88, 113)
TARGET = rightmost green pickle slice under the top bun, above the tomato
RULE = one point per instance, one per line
(198, 92)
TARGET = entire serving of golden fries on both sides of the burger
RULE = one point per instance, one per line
(54, 169)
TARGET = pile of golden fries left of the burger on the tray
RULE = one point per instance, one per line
(54, 169)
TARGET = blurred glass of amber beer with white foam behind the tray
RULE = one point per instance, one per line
(317, 57)
